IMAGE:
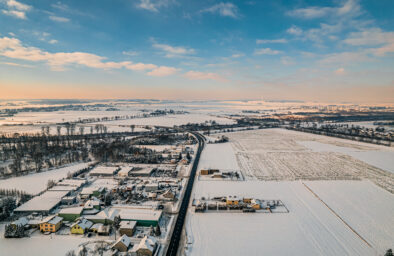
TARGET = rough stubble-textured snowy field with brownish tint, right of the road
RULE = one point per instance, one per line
(276, 154)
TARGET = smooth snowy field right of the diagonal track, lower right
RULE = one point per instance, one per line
(367, 208)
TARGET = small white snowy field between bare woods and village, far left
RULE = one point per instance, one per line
(37, 182)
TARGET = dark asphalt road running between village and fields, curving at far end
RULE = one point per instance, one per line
(180, 221)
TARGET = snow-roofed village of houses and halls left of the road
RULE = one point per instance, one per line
(124, 208)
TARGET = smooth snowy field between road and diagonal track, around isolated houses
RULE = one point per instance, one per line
(309, 228)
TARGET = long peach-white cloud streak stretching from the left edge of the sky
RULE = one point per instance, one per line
(13, 48)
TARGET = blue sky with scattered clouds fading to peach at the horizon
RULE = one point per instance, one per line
(328, 51)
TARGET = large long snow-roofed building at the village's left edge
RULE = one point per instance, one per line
(44, 203)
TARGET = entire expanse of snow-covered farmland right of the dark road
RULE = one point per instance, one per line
(354, 217)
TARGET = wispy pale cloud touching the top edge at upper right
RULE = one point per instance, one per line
(349, 7)
